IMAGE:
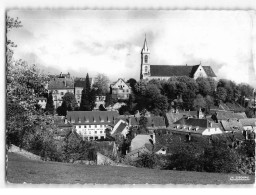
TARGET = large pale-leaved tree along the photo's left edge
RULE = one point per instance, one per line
(23, 85)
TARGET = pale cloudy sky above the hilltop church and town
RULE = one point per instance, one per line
(110, 41)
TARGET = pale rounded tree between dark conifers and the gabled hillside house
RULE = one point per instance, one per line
(101, 83)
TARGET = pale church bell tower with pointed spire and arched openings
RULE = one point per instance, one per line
(145, 66)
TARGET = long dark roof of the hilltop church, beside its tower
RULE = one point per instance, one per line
(178, 70)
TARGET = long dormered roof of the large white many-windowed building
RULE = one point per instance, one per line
(92, 117)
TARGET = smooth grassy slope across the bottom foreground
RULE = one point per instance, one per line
(21, 169)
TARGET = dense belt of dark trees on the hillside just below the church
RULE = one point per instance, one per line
(159, 96)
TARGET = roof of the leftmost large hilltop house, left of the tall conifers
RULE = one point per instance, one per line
(61, 83)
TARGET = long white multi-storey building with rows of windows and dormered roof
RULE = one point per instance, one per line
(92, 125)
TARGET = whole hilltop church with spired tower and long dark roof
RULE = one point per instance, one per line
(162, 72)
